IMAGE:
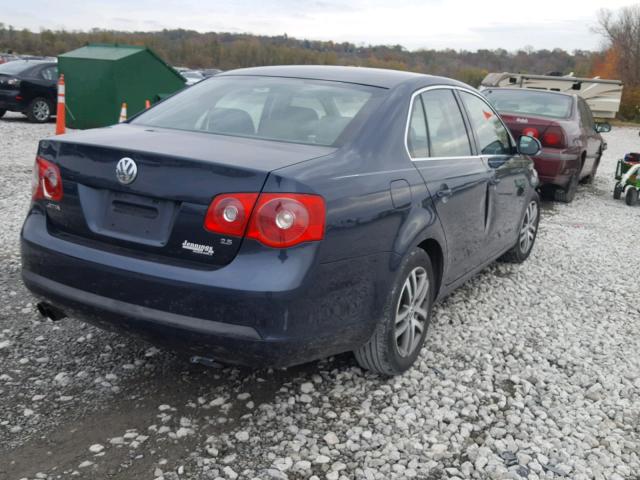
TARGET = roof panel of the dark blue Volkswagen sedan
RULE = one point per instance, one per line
(376, 77)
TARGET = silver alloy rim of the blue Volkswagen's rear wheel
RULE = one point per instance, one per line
(411, 314)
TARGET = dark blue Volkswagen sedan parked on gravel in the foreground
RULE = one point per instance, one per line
(276, 215)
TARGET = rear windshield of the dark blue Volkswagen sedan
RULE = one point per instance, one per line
(284, 109)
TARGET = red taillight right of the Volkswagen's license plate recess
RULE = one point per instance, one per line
(277, 220)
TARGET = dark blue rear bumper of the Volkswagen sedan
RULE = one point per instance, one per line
(266, 308)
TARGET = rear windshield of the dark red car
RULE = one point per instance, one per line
(529, 102)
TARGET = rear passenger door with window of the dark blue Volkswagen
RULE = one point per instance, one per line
(456, 177)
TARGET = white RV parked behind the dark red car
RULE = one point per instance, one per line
(602, 96)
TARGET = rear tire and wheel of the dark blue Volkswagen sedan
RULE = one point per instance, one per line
(388, 352)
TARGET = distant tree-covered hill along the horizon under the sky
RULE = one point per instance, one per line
(229, 50)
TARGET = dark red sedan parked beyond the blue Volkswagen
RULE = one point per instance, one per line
(571, 140)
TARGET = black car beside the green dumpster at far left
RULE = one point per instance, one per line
(29, 87)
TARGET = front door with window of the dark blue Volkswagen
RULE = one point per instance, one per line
(508, 172)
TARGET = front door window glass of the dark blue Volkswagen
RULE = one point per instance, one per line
(491, 134)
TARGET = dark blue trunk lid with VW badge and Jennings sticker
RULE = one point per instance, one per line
(160, 214)
